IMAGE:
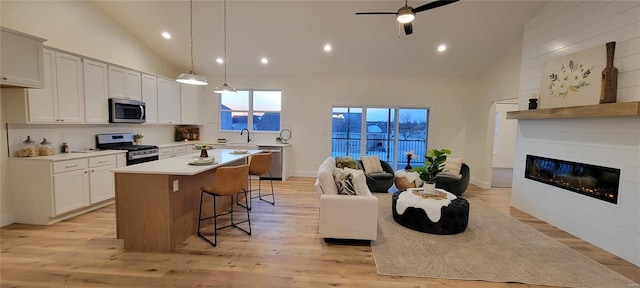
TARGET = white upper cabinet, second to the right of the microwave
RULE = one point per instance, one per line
(168, 101)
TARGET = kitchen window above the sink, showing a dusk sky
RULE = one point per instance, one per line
(263, 106)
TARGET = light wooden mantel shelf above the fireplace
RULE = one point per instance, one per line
(623, 109)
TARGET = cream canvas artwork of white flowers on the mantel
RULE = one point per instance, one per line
(573, 80)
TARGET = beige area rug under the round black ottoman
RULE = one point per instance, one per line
(495, 247)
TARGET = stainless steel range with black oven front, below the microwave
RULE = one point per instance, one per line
(124, 141)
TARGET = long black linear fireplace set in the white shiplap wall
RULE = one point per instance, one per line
(590, 180)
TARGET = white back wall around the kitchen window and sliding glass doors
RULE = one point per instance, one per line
(307, 102)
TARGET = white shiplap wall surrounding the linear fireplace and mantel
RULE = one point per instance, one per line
(559, 29)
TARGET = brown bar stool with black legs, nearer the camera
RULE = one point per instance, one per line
(228, 181)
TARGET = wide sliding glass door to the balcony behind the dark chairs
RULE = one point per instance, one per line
(379, 127)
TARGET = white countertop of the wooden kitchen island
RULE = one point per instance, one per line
(180, 165)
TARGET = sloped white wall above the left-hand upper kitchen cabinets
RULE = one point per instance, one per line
(80, 27)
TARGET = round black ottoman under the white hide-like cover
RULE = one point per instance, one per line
(454, 218)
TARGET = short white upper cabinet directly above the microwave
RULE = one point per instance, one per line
(124, 83)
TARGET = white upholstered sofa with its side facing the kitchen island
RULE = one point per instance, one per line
(344, 216)
